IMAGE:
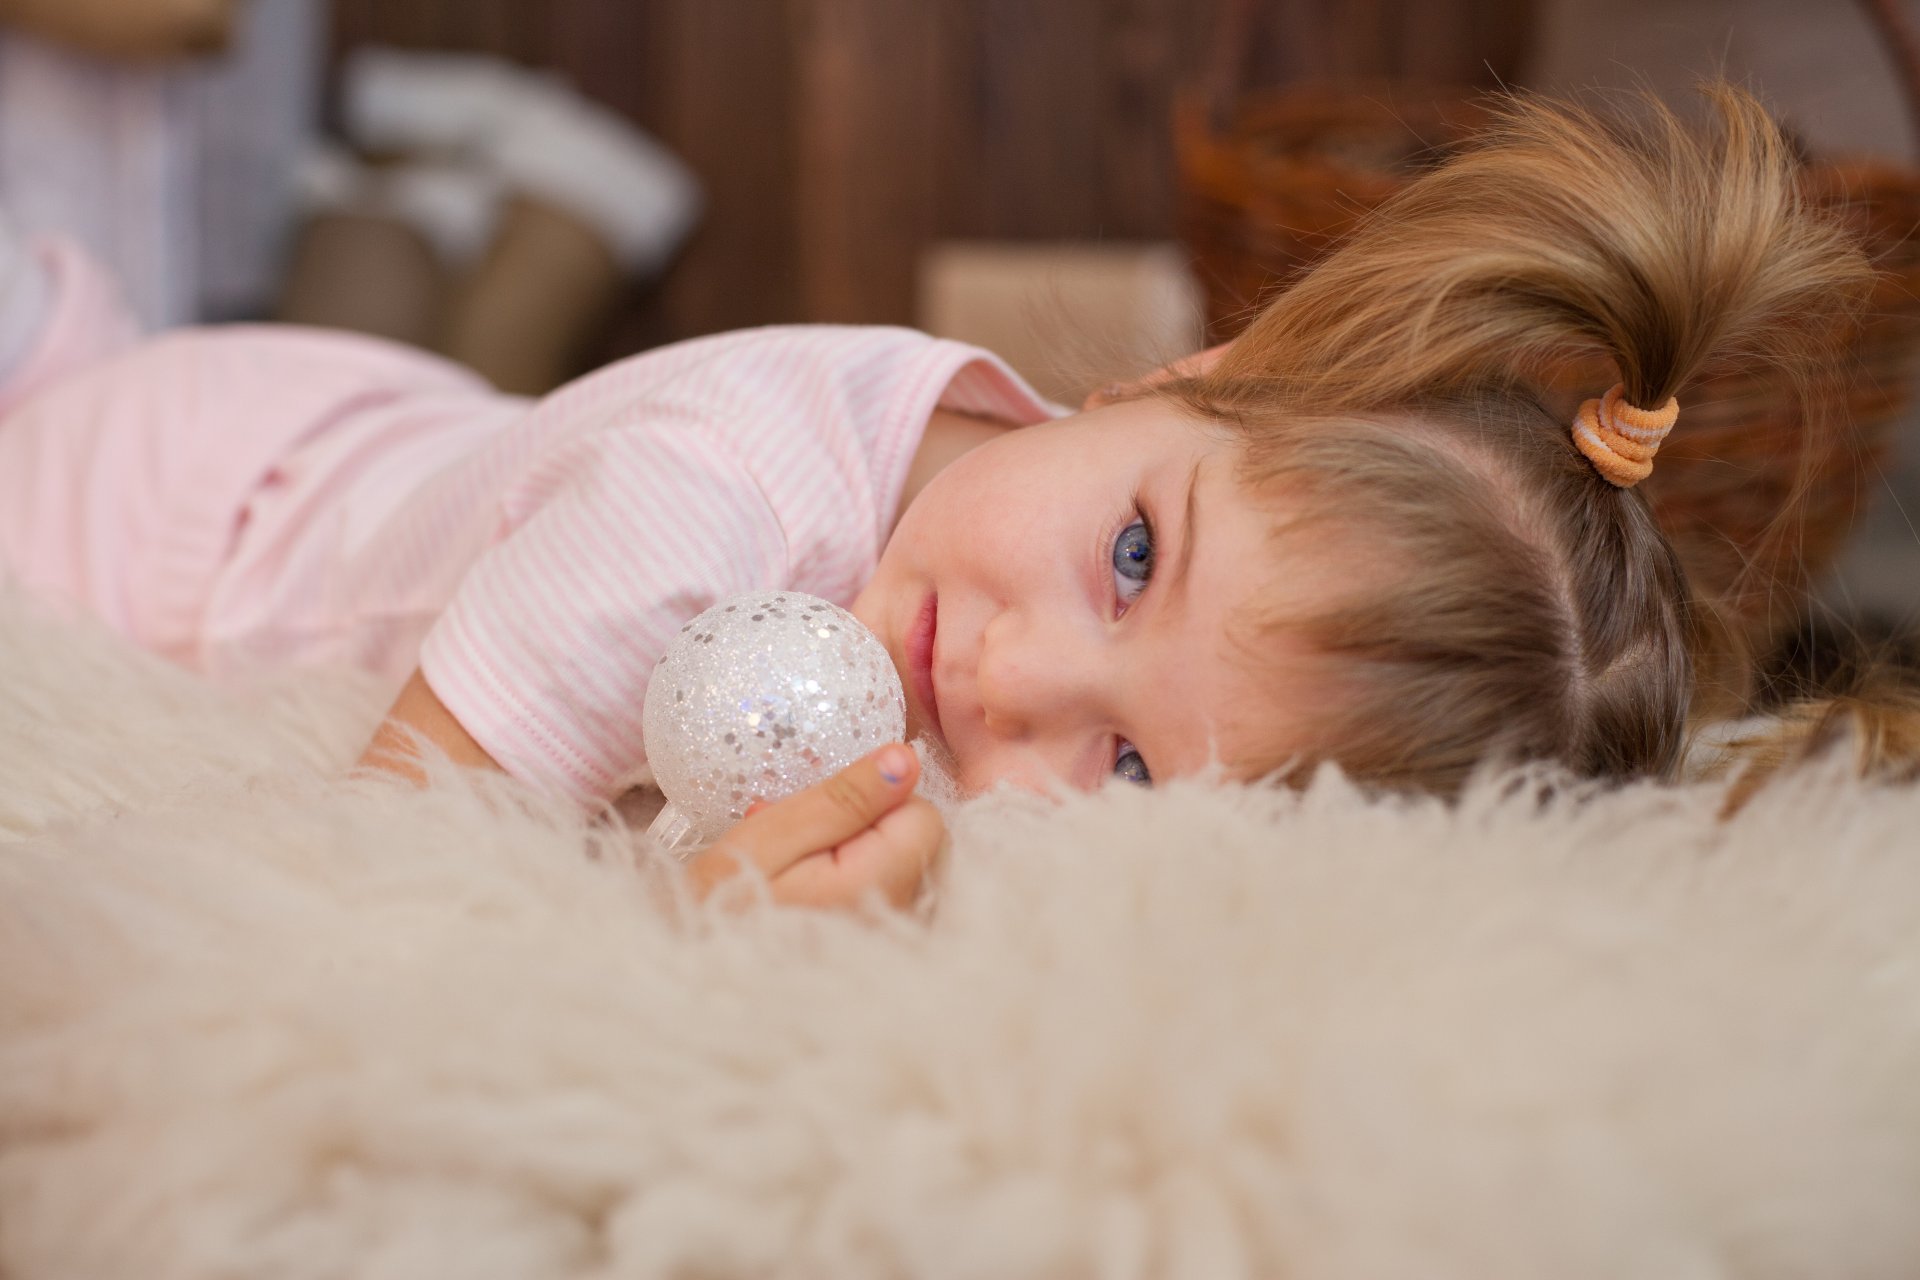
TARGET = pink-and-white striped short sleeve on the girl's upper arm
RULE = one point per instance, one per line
(610, 548)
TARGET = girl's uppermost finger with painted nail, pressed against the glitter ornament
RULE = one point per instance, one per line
(815, 820)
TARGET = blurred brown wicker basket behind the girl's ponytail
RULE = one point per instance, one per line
(1756, 504)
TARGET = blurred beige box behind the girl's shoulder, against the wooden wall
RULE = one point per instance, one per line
(1067, 316)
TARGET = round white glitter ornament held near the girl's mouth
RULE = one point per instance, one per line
(759, 698)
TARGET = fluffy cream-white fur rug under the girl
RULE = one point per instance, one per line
(258, 1022)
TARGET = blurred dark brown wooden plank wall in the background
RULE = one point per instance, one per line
(838, 137)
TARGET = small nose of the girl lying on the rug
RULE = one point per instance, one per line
(1040, 676)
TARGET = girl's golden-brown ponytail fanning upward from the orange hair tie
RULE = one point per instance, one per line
(1560, 237)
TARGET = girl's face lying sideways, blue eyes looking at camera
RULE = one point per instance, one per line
(1063, 604)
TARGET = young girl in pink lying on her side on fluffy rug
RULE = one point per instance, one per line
(1355, 536)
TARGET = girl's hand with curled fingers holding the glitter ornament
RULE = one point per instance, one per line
(861, 830)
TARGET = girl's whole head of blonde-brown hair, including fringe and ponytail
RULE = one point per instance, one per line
(1408, 392)
